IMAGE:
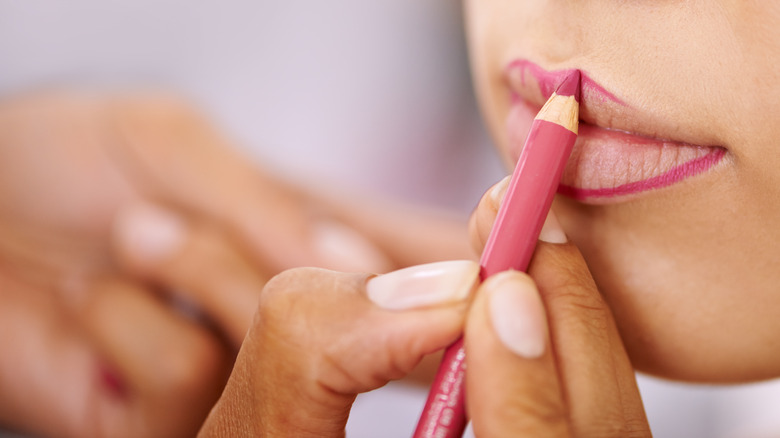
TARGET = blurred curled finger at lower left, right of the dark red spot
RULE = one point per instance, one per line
(171, 369)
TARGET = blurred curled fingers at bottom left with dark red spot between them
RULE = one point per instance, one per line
(122, 364)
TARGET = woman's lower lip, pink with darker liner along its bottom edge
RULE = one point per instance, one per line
(608, 166)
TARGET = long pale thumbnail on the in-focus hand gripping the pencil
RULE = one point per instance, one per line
(424, 285)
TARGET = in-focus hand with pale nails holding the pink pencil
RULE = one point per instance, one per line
(544, 356)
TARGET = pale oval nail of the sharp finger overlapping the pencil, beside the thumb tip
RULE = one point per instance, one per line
(517, 314)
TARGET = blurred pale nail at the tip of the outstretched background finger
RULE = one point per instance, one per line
(341, 248)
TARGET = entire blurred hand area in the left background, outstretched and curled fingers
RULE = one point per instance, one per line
(109, 209)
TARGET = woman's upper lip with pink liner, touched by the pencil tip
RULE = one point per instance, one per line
(598, 106)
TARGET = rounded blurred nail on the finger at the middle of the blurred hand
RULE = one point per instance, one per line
(149, 233)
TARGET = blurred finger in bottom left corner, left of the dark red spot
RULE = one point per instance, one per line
(45, 365)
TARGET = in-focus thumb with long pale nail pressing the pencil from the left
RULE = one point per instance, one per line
(319, 338)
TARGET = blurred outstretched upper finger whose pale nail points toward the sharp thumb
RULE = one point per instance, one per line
(272, 220)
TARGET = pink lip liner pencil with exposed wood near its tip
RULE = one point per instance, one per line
(512, 240)
